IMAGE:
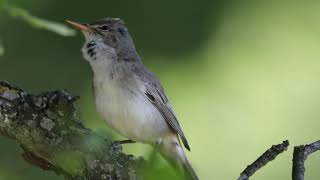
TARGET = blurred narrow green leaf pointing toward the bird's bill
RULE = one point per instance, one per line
(40, 23)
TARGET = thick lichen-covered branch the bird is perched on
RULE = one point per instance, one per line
(53, 138)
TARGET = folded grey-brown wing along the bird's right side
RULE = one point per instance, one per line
(155, 94)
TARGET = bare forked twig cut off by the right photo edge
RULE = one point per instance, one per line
(300, 154)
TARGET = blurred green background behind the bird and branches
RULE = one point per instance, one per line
(241, 75)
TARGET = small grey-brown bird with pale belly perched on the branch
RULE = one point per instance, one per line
(127, 95)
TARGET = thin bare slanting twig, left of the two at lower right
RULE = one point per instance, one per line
(266, 157)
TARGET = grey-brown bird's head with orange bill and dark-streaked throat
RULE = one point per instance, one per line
(105, 40)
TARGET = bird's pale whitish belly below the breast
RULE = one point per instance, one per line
(130, 114)
